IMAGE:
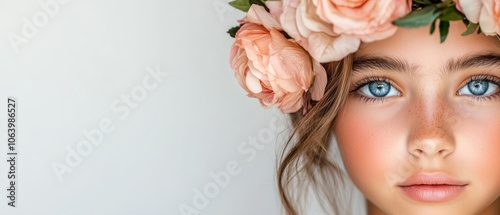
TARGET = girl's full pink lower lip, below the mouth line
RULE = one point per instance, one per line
(433, 193)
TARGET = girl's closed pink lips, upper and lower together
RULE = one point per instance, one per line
(432, 187)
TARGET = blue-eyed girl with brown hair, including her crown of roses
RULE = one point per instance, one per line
(416, 115)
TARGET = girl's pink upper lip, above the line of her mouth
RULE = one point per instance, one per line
(431, 179)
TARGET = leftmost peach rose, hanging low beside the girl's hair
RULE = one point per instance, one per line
(272, 68)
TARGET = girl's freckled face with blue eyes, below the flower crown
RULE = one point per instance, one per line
(420, 130)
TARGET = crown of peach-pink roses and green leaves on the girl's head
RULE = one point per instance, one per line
(280, 44)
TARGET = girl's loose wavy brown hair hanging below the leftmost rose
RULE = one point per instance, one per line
(305, 162)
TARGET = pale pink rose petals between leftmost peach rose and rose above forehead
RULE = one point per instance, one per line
(300, 21)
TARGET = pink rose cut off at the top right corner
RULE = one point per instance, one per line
(484, 12)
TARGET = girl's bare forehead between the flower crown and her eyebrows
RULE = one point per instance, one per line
(417, 46)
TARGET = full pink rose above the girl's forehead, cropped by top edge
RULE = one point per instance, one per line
(368, 20)
